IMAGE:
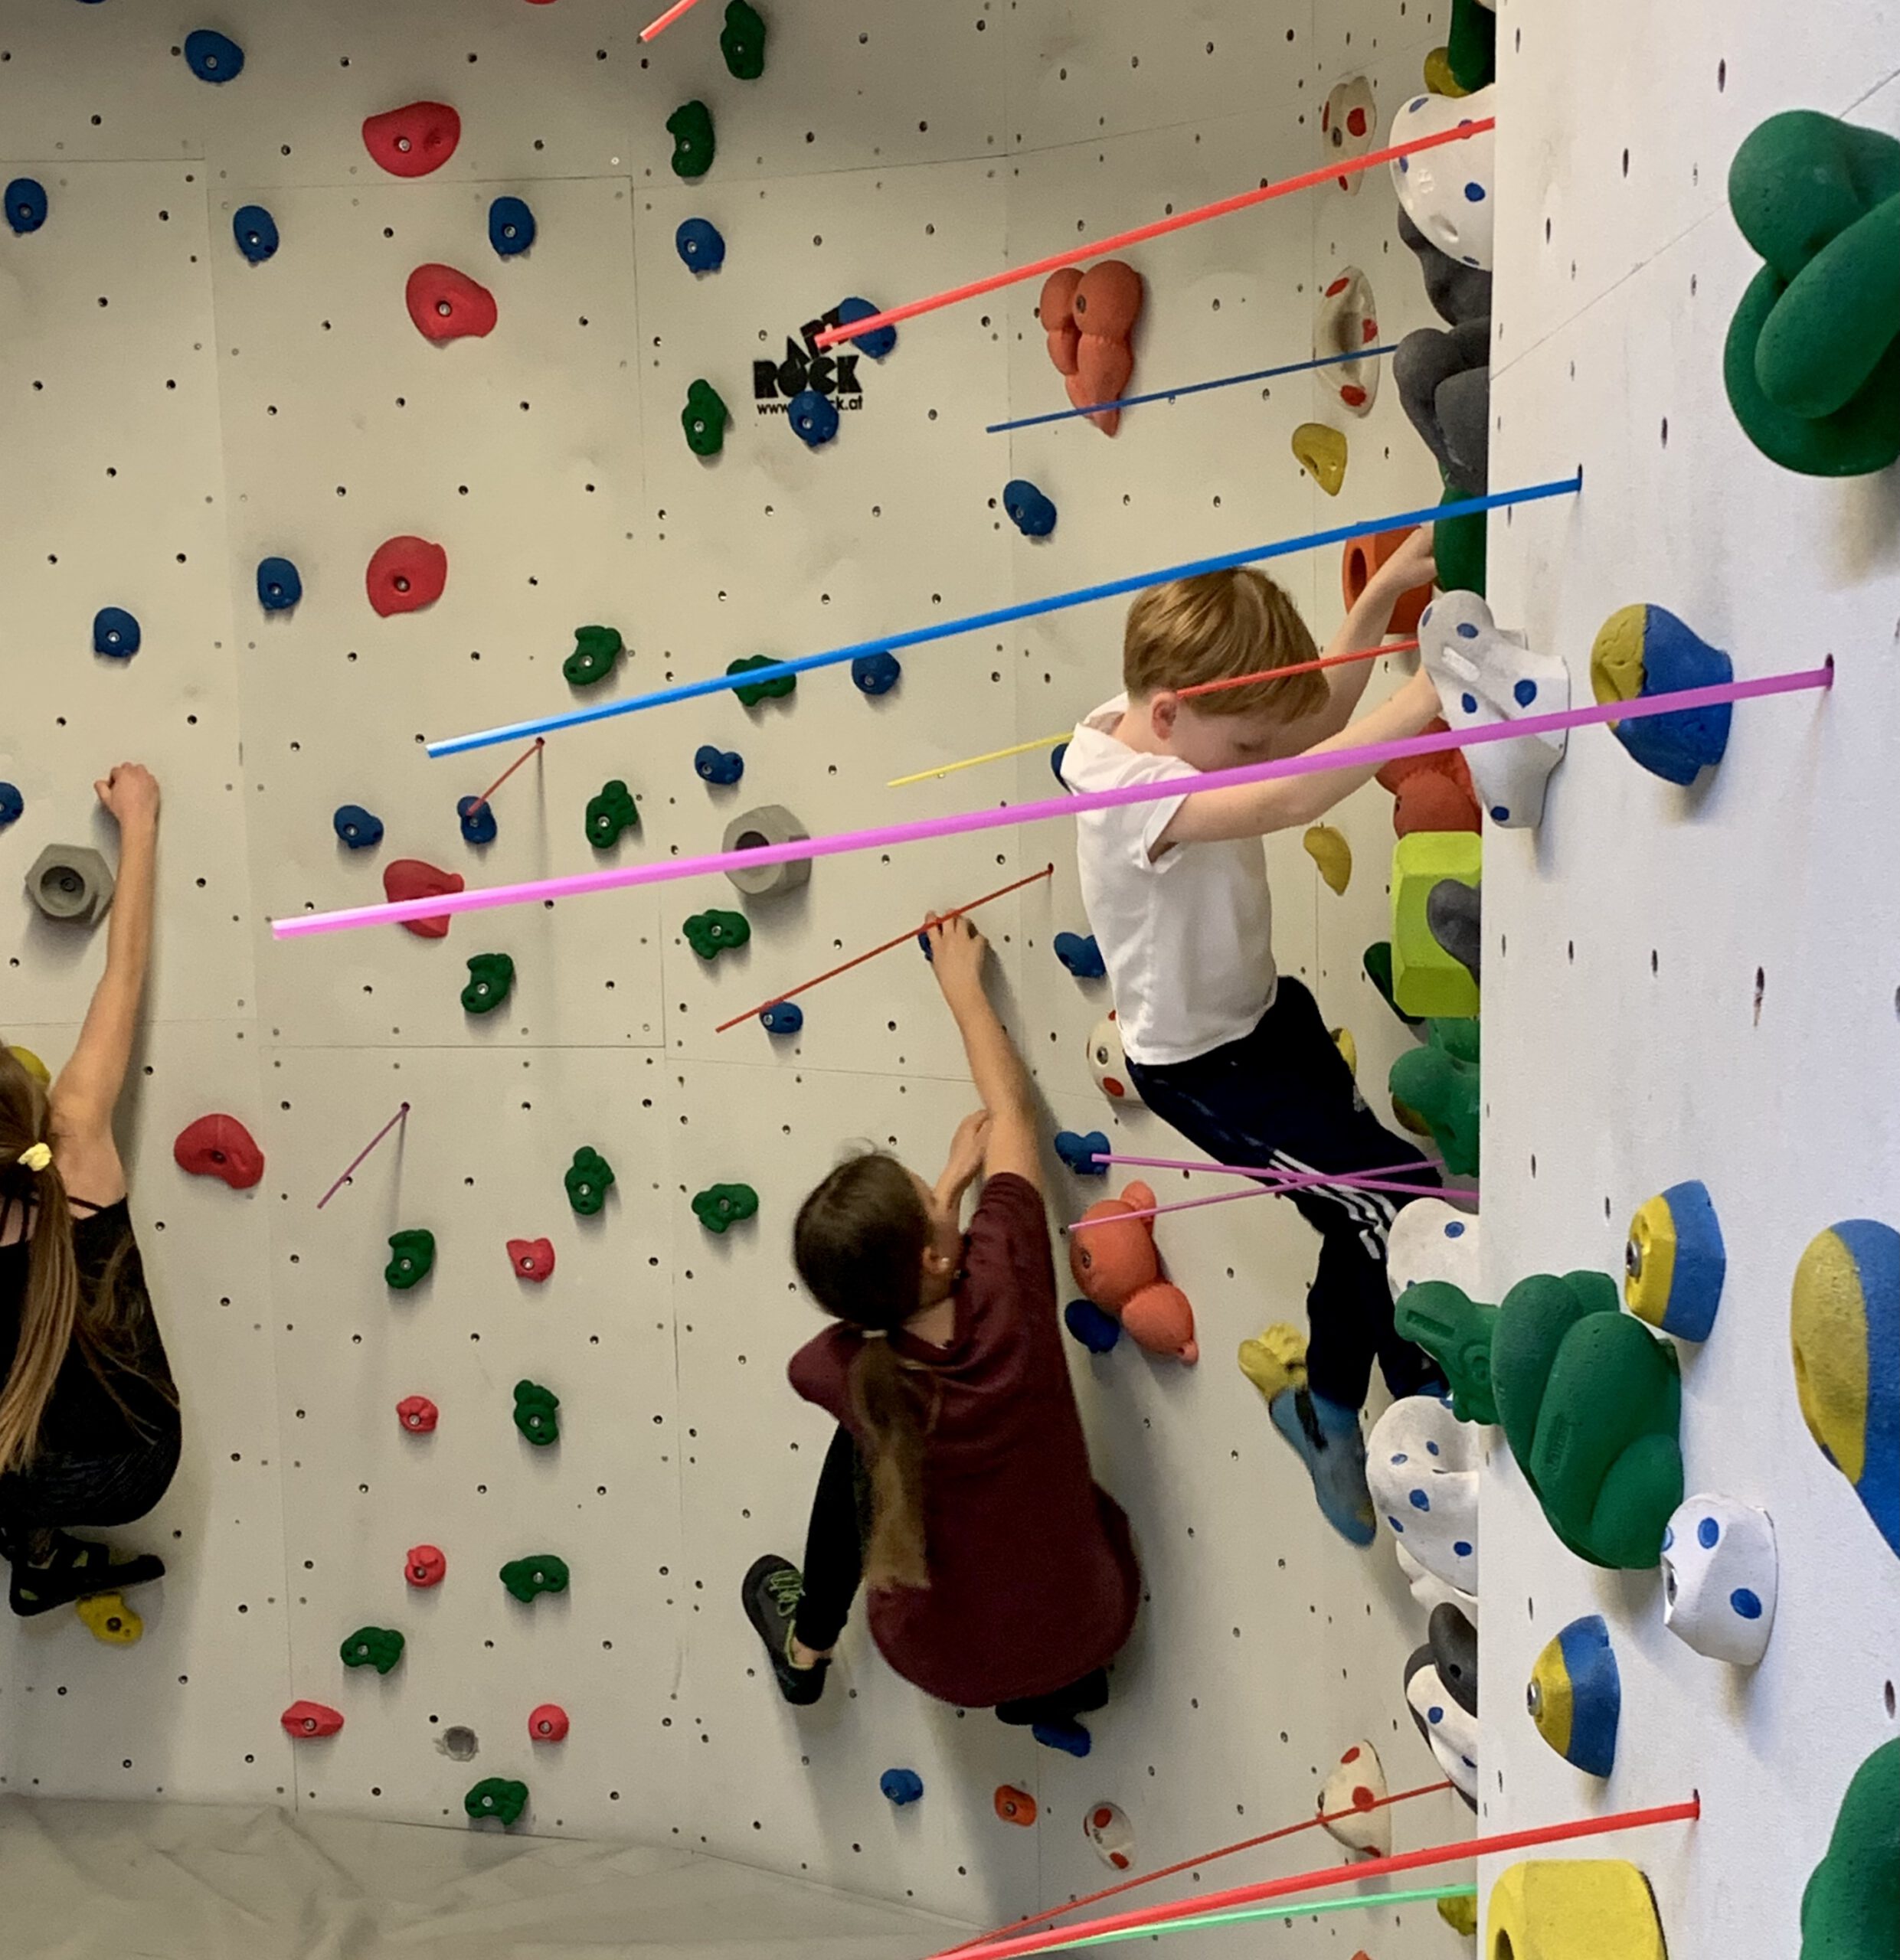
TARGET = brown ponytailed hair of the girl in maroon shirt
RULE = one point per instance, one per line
(860, 1248)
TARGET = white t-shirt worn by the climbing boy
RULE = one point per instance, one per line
(1187, 938)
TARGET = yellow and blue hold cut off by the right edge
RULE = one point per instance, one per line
(1846, 1336)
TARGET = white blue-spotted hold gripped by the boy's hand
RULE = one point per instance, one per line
(1485, 675)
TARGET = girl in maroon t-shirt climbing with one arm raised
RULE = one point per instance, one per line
(958, 1485)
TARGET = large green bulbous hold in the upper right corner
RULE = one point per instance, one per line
(1813, 360)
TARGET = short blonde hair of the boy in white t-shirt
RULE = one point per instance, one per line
(1219, 626)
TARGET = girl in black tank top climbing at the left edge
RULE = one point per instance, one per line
(89, 1416)
